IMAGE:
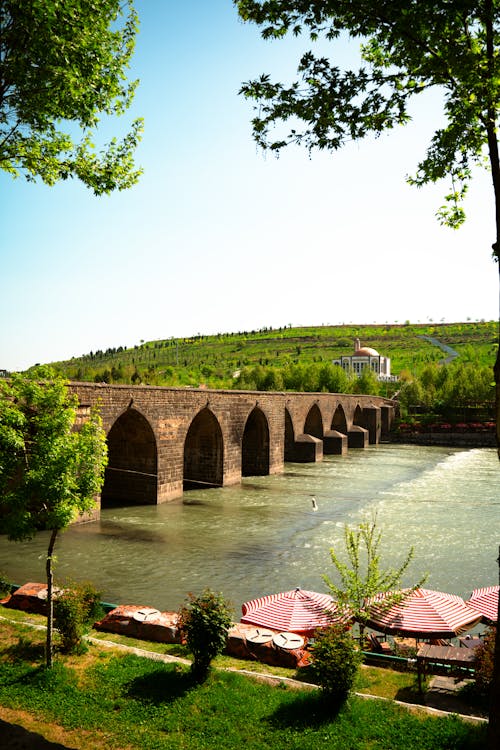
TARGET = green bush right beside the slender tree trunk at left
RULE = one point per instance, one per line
(75, 609)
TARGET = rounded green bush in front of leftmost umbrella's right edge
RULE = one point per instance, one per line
(335, 662)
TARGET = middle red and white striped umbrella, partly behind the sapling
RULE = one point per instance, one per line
(423, 614)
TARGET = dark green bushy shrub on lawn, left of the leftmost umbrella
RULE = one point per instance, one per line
(205, 621)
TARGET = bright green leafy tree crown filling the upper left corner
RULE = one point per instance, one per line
(62, 66)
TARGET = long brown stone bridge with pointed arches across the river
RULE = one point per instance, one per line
(164, 440)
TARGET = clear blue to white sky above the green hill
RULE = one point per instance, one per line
(219, 237)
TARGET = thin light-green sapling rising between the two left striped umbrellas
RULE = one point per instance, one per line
(361, 578)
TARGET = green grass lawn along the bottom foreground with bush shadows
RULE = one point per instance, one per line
(109, 698)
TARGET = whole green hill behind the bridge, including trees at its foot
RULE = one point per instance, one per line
(300, 359)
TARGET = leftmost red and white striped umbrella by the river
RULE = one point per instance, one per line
(294, 611)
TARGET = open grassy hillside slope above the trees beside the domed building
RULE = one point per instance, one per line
(213, 360)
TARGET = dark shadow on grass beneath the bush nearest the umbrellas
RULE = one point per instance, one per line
(311, 710)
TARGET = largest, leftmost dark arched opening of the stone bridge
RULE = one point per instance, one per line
(131, 476)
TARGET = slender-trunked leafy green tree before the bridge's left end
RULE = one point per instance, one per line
(51, 466)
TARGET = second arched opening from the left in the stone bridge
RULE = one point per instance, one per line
(203, 452)
